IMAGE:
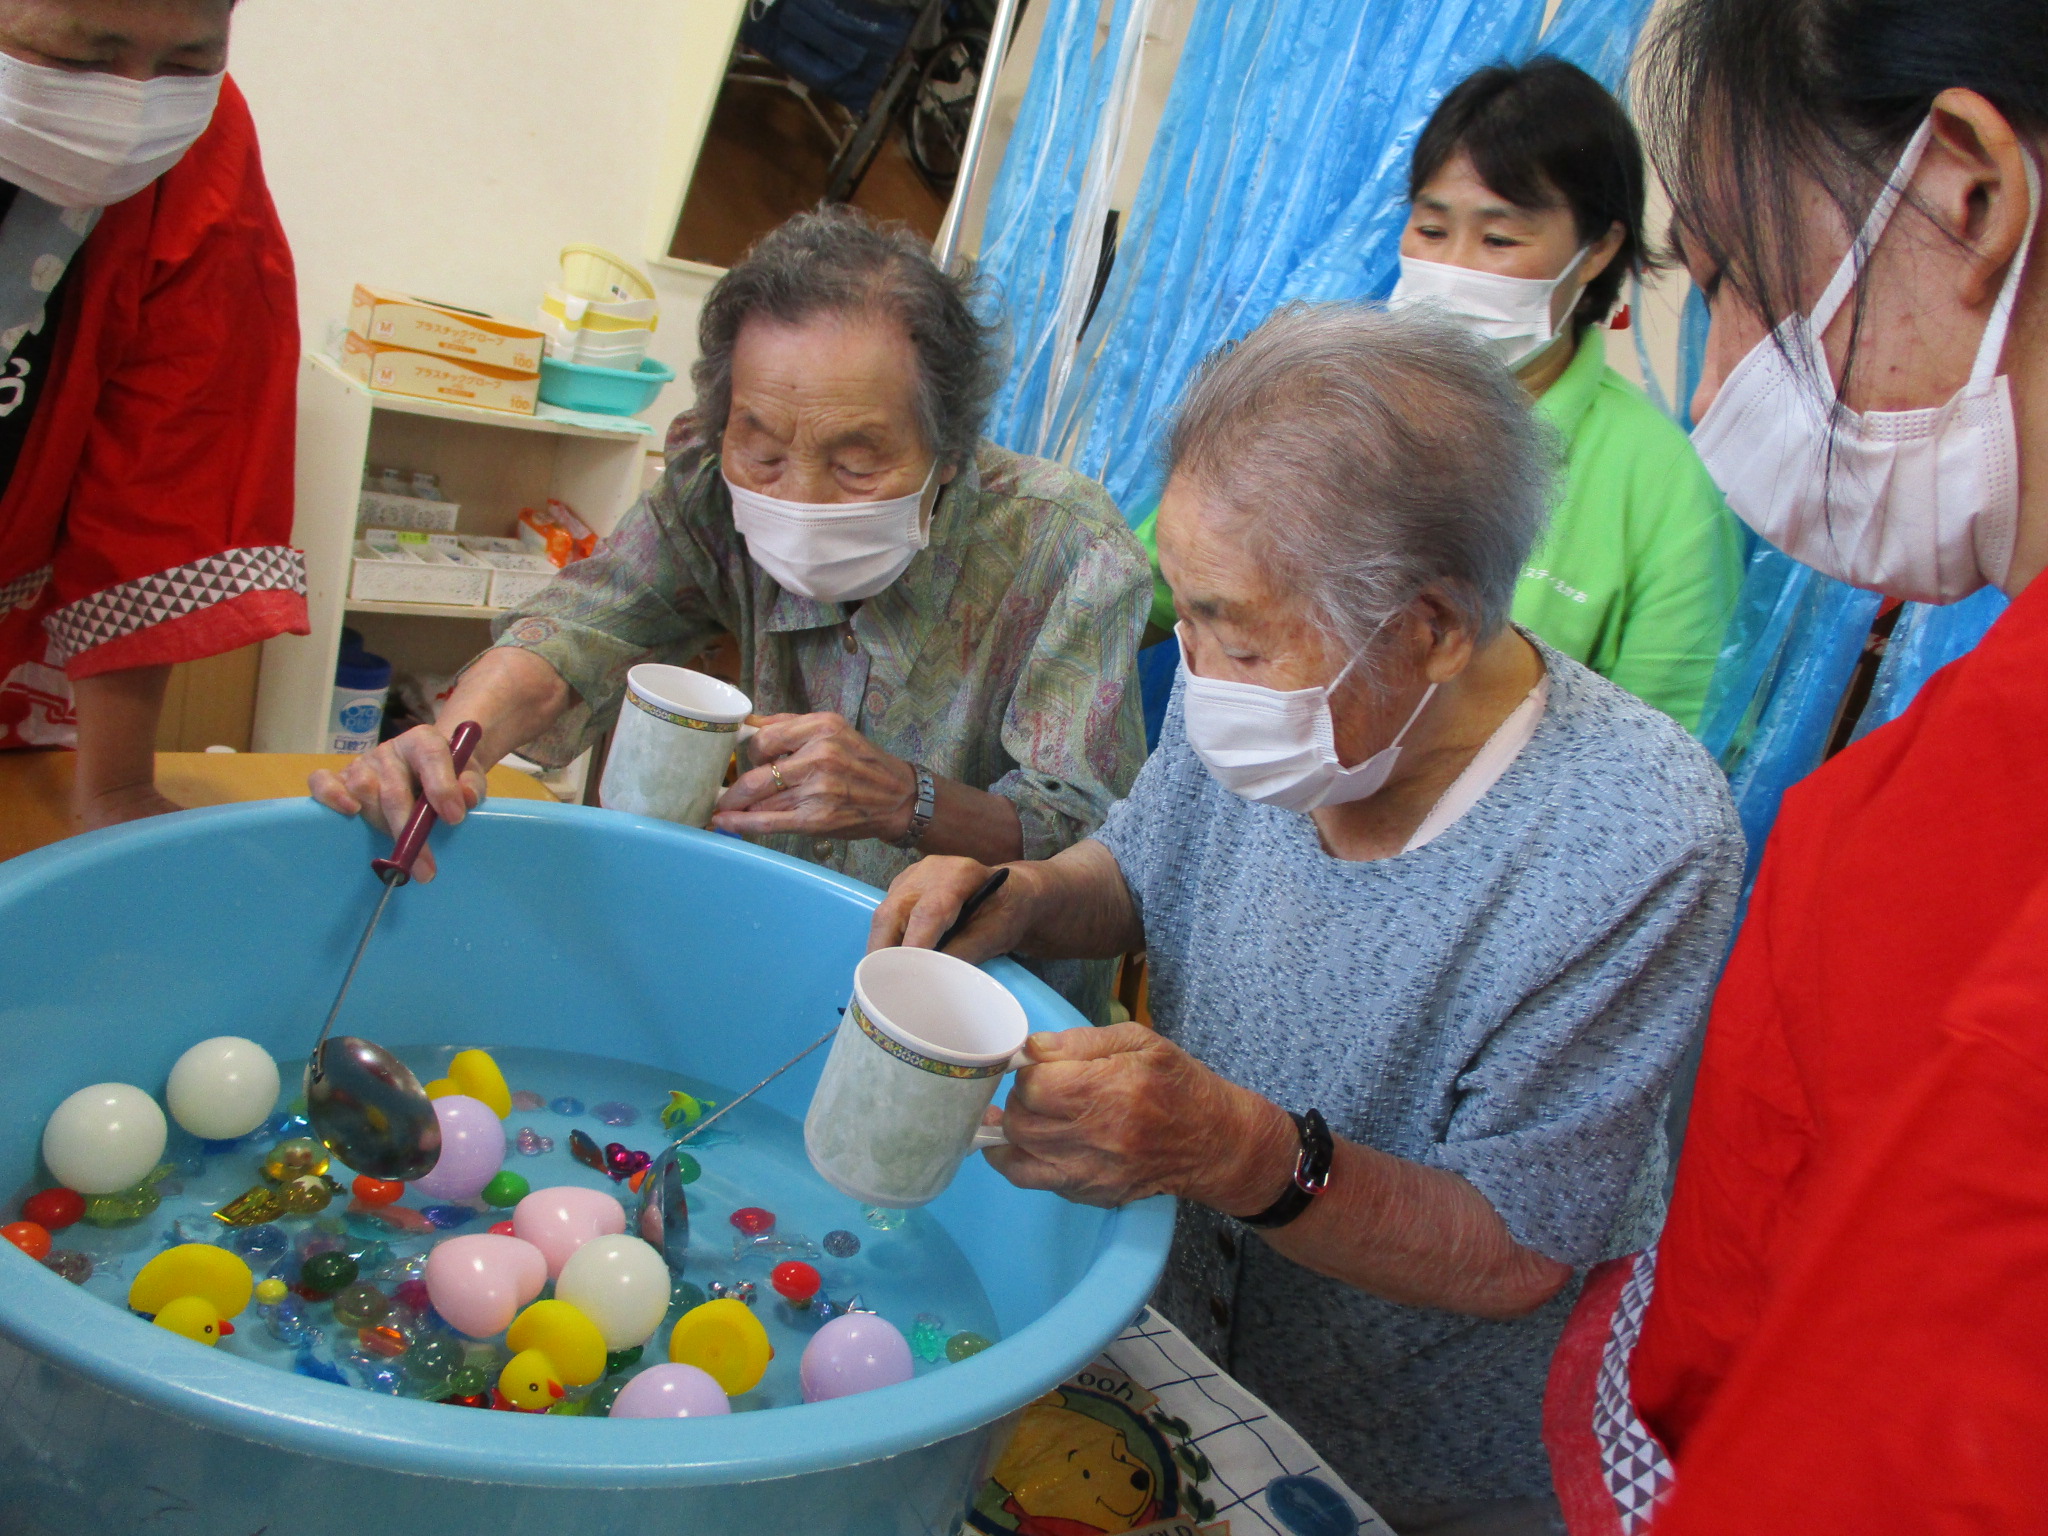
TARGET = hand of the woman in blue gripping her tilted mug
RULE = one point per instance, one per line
(1115, 1115)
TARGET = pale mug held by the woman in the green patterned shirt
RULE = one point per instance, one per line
(675, 740)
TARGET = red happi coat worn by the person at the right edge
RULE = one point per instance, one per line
(1850, 1314)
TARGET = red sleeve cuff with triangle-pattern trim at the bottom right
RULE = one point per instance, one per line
(1611, 1469)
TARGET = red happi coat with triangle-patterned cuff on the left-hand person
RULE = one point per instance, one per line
(151, 515)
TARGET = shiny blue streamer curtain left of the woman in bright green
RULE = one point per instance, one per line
(1279, 173)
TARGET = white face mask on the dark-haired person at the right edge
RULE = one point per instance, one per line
(1918, 505)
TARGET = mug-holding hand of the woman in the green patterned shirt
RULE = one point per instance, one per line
(835, 783)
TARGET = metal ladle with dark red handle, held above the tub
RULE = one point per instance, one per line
(364, 1103)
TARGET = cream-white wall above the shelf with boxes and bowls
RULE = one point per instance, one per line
(456, 146)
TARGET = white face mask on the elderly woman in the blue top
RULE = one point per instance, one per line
(1281, 746)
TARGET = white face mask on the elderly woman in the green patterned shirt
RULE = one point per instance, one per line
(835, 552)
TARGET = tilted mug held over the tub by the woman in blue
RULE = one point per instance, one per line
(919, 1058)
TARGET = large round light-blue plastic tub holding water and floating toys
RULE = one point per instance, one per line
(548, 927)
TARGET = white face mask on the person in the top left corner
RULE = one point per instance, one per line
(85, 140)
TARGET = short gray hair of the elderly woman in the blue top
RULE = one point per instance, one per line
(1371, 458)
